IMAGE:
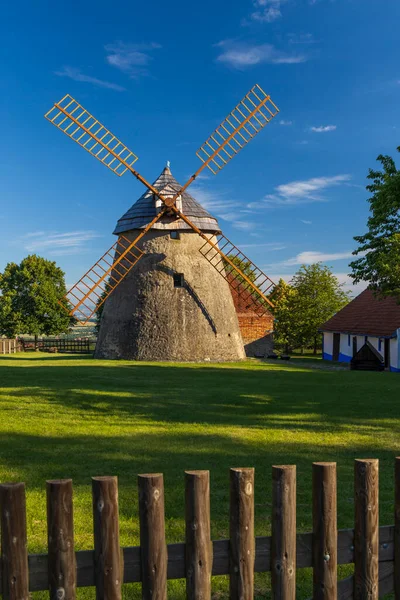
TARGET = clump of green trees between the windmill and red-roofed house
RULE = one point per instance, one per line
(313, 296)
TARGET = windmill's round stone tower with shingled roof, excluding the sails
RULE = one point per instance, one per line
(173, 305)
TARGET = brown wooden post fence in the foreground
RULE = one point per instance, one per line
(374, 551)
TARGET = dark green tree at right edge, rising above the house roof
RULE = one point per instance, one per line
(379, 249)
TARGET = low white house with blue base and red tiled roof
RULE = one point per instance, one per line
(366, 318)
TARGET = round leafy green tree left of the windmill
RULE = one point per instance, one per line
(29, 298)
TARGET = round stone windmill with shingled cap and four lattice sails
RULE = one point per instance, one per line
(134, 279)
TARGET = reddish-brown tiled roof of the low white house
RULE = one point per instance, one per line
(366, 315)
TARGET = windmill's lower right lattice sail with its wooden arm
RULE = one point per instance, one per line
(250, 283)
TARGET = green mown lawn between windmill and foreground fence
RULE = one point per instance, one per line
(69, 416)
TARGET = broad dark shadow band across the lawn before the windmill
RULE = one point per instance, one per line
(259, 396)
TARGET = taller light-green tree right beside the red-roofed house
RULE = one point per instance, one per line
(318, 296)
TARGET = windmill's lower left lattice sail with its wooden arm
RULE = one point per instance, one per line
(85, 298)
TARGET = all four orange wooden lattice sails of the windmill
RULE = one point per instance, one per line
(242, 124)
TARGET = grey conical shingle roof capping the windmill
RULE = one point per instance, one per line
(144, 210)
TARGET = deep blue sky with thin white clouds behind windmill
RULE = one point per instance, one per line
(161, 76)
